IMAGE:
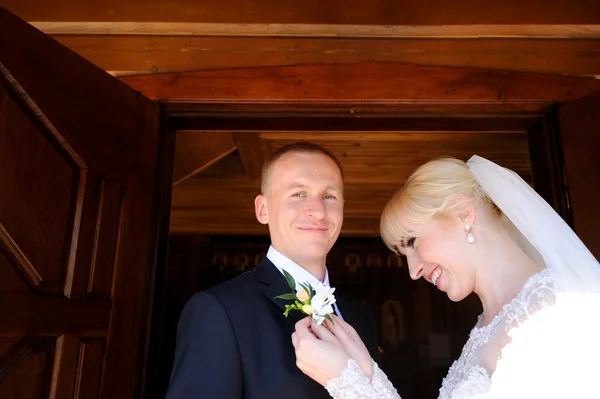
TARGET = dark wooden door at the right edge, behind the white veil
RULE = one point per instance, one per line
(580, 133)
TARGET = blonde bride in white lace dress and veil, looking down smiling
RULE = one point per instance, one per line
(478, 227)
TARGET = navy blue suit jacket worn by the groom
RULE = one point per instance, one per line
(234, 342)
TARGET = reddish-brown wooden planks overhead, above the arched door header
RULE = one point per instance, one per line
(128, 37)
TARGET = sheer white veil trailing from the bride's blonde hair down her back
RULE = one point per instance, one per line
(558, 353)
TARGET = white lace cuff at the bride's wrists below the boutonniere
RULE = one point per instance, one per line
(352, 384)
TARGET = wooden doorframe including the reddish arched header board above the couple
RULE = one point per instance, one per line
(356, 97)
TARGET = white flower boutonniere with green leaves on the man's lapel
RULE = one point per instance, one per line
(316, 302)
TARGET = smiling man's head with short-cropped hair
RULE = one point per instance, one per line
(303, 204)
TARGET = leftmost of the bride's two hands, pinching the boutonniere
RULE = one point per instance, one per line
(319, 354)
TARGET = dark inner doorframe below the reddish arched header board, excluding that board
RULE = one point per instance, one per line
(541, 134)
